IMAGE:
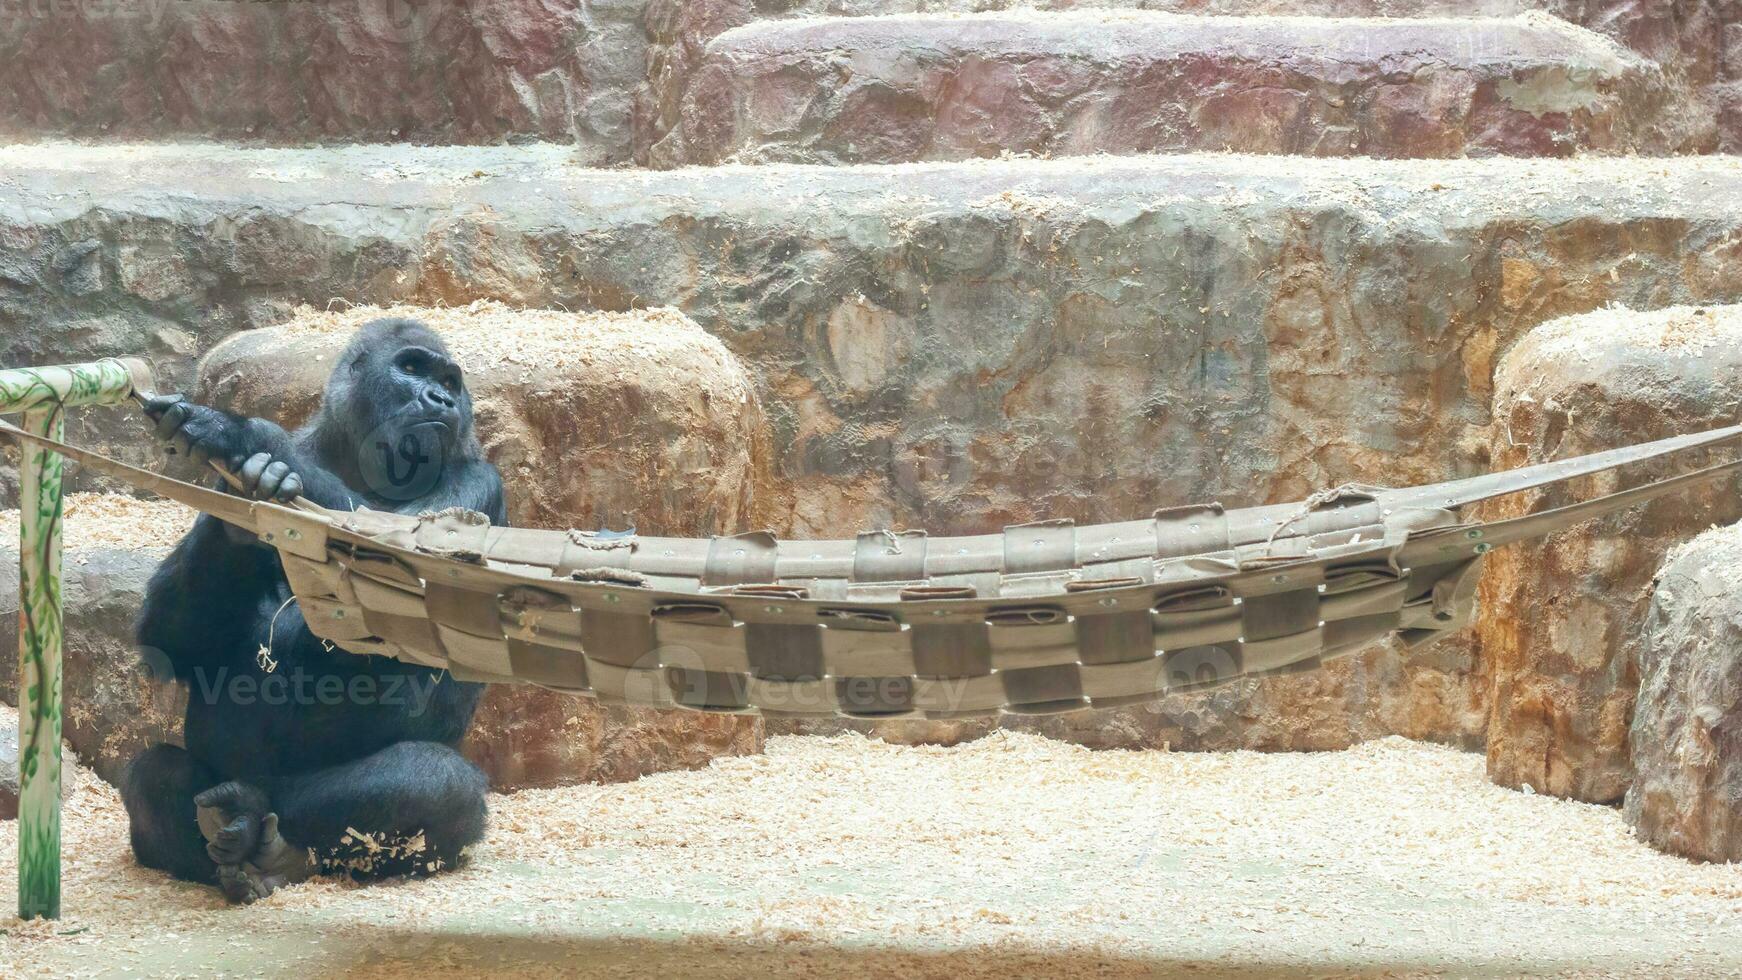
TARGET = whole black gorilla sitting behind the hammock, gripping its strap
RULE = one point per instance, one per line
(302, 758)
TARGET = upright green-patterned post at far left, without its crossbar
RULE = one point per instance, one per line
(39, 676)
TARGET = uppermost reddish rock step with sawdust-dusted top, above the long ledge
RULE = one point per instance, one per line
(1057, 84)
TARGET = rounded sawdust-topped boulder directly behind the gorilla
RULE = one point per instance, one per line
(605, 420)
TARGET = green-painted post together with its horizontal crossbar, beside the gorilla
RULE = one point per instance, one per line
(43, 396)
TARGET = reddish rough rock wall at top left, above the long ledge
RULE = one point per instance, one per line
(325, 70)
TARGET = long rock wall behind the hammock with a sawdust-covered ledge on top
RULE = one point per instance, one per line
(955, 347)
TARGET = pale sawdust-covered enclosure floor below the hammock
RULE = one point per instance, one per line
(1008, 857)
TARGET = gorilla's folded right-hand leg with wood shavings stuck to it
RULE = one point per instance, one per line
(410, 809)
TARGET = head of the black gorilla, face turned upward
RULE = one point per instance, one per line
(410, 413)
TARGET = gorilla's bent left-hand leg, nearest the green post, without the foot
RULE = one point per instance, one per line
(159, 789)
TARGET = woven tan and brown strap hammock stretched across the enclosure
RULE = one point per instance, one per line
(1041, 619)
